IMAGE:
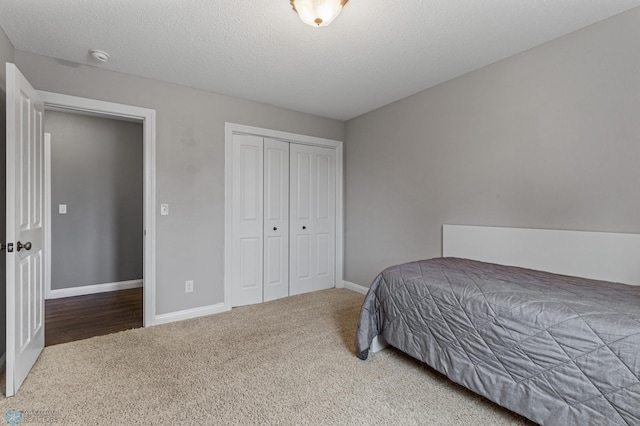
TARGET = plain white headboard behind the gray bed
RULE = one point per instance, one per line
(597, 255)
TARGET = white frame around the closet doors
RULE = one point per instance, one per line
(232, 129)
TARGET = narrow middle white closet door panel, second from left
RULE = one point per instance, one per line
(276, 219)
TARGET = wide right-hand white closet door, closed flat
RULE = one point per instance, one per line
(312, 218)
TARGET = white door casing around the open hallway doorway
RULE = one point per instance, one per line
(148, 119)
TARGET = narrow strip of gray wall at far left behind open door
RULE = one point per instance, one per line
(6, 55)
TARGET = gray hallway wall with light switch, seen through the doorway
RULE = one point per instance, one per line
(96, 170)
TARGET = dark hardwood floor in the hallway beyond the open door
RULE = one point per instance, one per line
(81, 317)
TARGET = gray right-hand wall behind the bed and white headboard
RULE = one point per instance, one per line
(549, 138)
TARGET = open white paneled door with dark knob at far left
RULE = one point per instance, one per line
(25, 228)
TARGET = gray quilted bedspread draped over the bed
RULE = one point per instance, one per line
(558, 350)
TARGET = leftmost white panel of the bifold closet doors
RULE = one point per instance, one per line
(247, 220)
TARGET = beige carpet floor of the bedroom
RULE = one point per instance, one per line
(285, 362)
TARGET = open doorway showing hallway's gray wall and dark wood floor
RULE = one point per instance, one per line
(94, 212)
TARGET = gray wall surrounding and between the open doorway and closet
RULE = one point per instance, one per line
(190, 164)
